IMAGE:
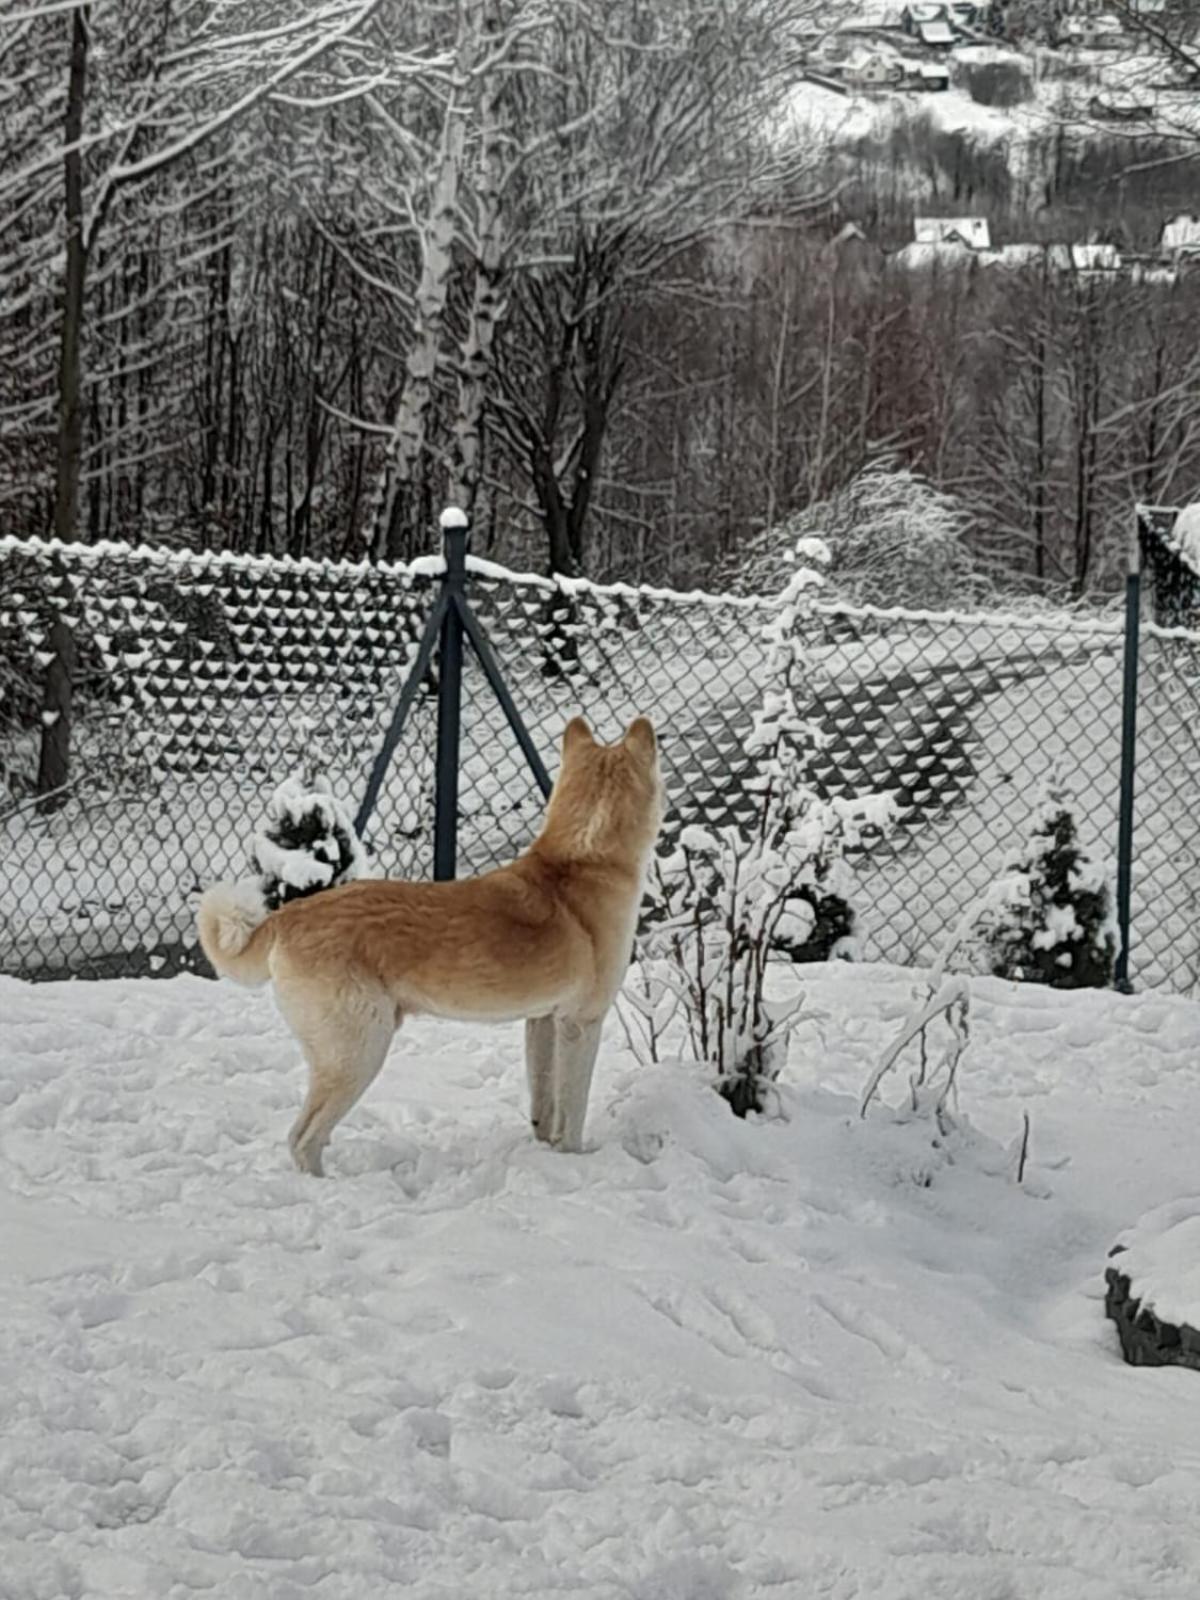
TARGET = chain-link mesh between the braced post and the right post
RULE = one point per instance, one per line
(959, 721)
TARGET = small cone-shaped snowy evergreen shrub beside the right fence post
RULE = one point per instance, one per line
(1049, 918)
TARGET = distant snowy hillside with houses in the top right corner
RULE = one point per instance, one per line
(1054, 142)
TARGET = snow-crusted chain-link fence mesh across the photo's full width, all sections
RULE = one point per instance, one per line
(199, 682)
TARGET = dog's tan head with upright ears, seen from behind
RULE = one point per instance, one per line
(609, 799)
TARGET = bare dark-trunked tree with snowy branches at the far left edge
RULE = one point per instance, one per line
(151, 92)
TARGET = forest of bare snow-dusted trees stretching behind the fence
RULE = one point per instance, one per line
(287, 278)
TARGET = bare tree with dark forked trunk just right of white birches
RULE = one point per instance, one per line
(662, 143)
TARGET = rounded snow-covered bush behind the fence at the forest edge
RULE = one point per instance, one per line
(892, 537)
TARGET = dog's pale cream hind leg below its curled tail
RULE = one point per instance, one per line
(345, 1050)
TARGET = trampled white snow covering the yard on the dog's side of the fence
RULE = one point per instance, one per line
(708, 1361)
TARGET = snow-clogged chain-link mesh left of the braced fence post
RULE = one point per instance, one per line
(201, 682)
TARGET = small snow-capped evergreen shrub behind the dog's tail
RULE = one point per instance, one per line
(308, 844)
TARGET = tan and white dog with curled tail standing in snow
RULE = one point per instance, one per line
(546, 938)
